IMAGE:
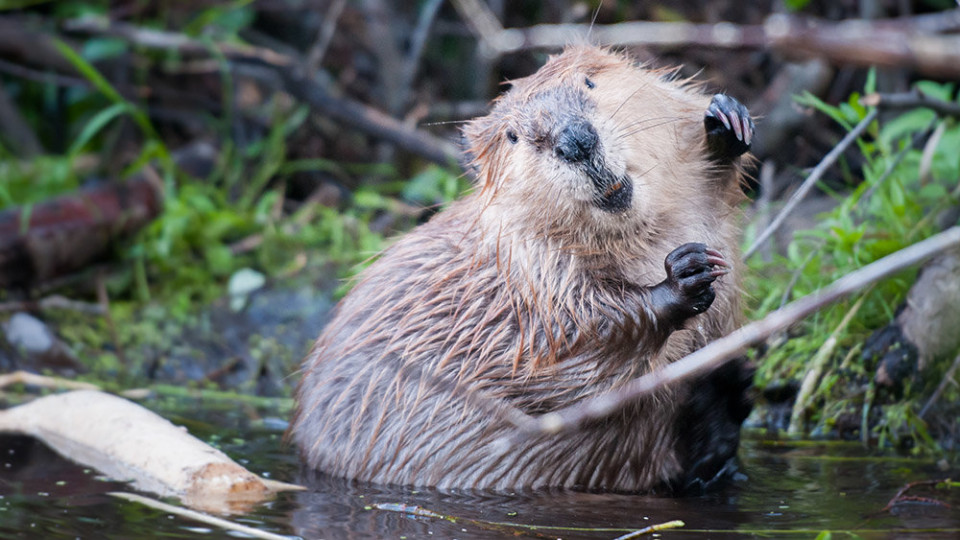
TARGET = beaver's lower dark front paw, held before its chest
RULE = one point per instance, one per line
(691, 270)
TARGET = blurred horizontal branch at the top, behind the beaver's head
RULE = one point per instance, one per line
(907, 42)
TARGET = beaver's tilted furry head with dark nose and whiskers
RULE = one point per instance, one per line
(588, 136)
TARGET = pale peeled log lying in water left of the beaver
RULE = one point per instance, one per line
(127, 442)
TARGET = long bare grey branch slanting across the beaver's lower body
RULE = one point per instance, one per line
(734, 344)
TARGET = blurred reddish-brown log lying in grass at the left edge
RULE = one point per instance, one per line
(64, 234)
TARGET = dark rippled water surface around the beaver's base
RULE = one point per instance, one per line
(787, 490)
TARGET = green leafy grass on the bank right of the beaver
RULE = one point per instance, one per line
(879, 213)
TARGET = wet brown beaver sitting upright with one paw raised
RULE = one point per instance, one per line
(589, 253)
